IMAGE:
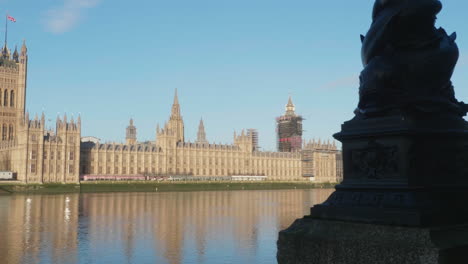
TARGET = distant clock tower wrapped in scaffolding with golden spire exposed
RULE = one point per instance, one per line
(289, 129)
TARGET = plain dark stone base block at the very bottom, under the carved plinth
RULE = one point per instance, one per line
(315, 241)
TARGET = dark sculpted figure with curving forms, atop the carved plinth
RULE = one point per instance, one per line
(408, 62)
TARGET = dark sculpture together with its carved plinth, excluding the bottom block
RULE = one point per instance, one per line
(405, 152)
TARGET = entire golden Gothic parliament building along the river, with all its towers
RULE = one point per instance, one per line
(35, 154)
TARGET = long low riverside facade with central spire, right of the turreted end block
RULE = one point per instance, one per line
(171, 155)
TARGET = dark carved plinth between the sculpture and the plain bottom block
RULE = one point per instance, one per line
(402, 170)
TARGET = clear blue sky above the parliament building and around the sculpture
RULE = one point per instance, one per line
(233, 62)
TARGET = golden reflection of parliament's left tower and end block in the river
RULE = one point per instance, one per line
(36, 229)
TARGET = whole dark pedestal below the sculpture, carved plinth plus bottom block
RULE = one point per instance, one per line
(402, 200)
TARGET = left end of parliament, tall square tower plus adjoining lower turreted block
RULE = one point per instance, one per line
(33, 153)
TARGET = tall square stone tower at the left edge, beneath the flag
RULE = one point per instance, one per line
(13, 71)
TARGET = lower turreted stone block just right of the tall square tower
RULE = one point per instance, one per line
(43, 156)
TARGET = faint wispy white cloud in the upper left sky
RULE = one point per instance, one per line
(63, 18)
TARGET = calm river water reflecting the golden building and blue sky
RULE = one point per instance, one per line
(178, 227)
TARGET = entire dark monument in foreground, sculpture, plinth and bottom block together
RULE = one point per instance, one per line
(405, 154)
